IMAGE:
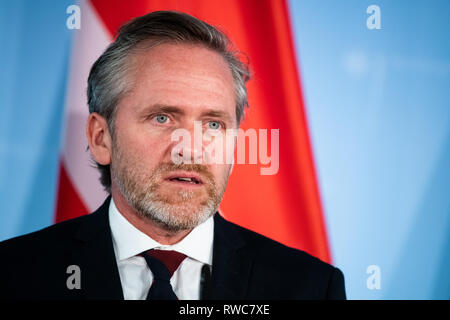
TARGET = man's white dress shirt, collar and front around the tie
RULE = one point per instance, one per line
(135, 275)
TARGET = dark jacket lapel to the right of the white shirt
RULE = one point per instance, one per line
(231, 266)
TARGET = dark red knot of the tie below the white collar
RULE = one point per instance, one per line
(169, 258)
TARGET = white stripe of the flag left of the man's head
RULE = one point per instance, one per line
(90, 41)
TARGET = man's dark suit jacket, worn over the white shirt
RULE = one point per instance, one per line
(246, 265)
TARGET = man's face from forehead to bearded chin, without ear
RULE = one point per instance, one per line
(173, 86)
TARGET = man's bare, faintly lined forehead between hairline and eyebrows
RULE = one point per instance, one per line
(164, 77)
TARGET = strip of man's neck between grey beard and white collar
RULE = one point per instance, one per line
(150, 228)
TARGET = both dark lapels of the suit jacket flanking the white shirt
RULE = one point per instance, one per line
(100, 275)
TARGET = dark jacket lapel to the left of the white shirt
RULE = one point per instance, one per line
(100, 277)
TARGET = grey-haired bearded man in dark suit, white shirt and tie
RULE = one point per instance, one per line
(158, 235)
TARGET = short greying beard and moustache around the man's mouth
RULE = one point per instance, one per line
(142, 193)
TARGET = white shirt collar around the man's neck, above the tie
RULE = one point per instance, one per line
(128, 241)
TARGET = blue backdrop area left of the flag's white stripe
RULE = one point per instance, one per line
(35, 50)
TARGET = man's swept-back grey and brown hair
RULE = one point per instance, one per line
(108, 82)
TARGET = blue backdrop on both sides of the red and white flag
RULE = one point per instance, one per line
(379, 115)
